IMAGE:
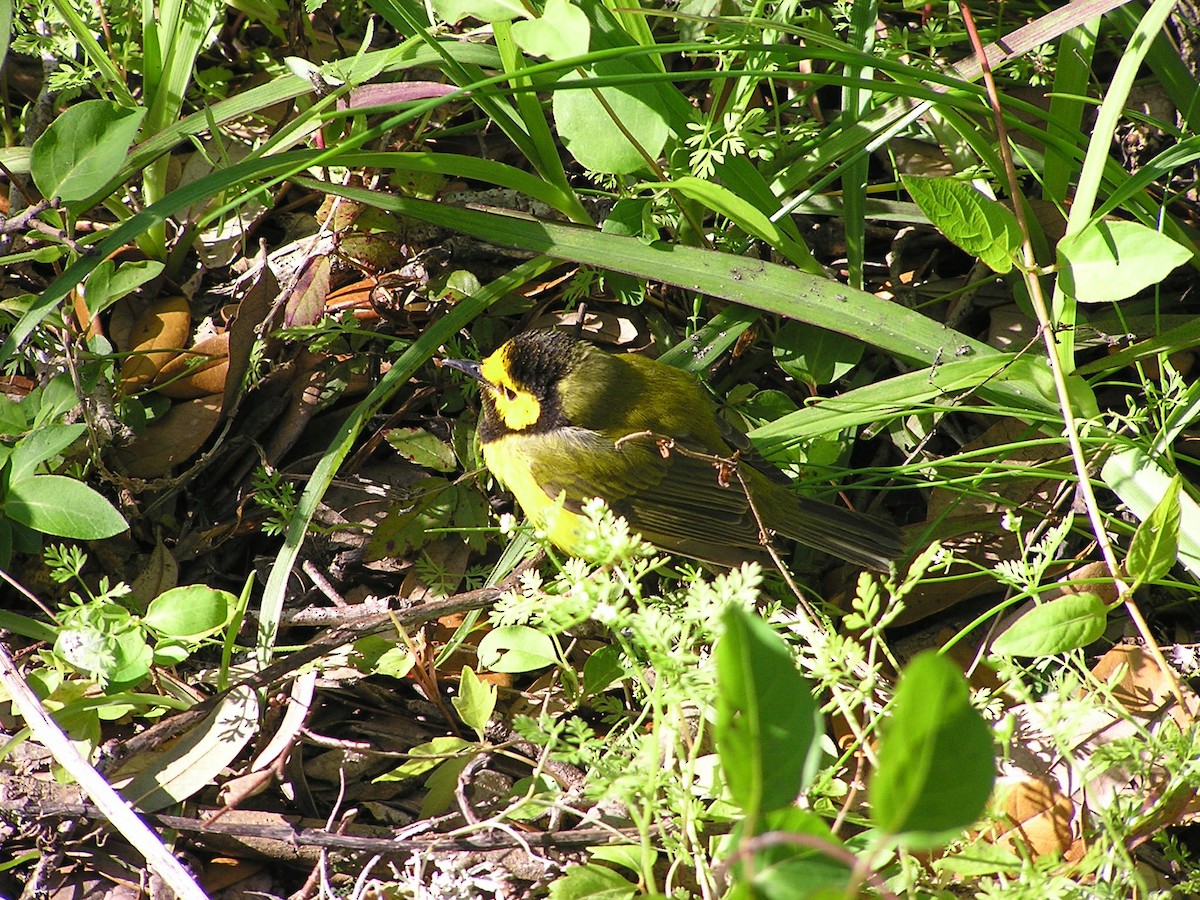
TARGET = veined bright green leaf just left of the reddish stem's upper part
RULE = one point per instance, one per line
(981, 226)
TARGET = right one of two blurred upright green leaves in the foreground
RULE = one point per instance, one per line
(937, 764)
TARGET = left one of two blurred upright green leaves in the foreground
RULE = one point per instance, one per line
(767, 722)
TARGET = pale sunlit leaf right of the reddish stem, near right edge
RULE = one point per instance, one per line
(1112, 261)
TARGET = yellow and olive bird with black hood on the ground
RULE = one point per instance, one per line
(566, 422)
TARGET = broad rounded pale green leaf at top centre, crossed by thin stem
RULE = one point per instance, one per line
(590, 133)
